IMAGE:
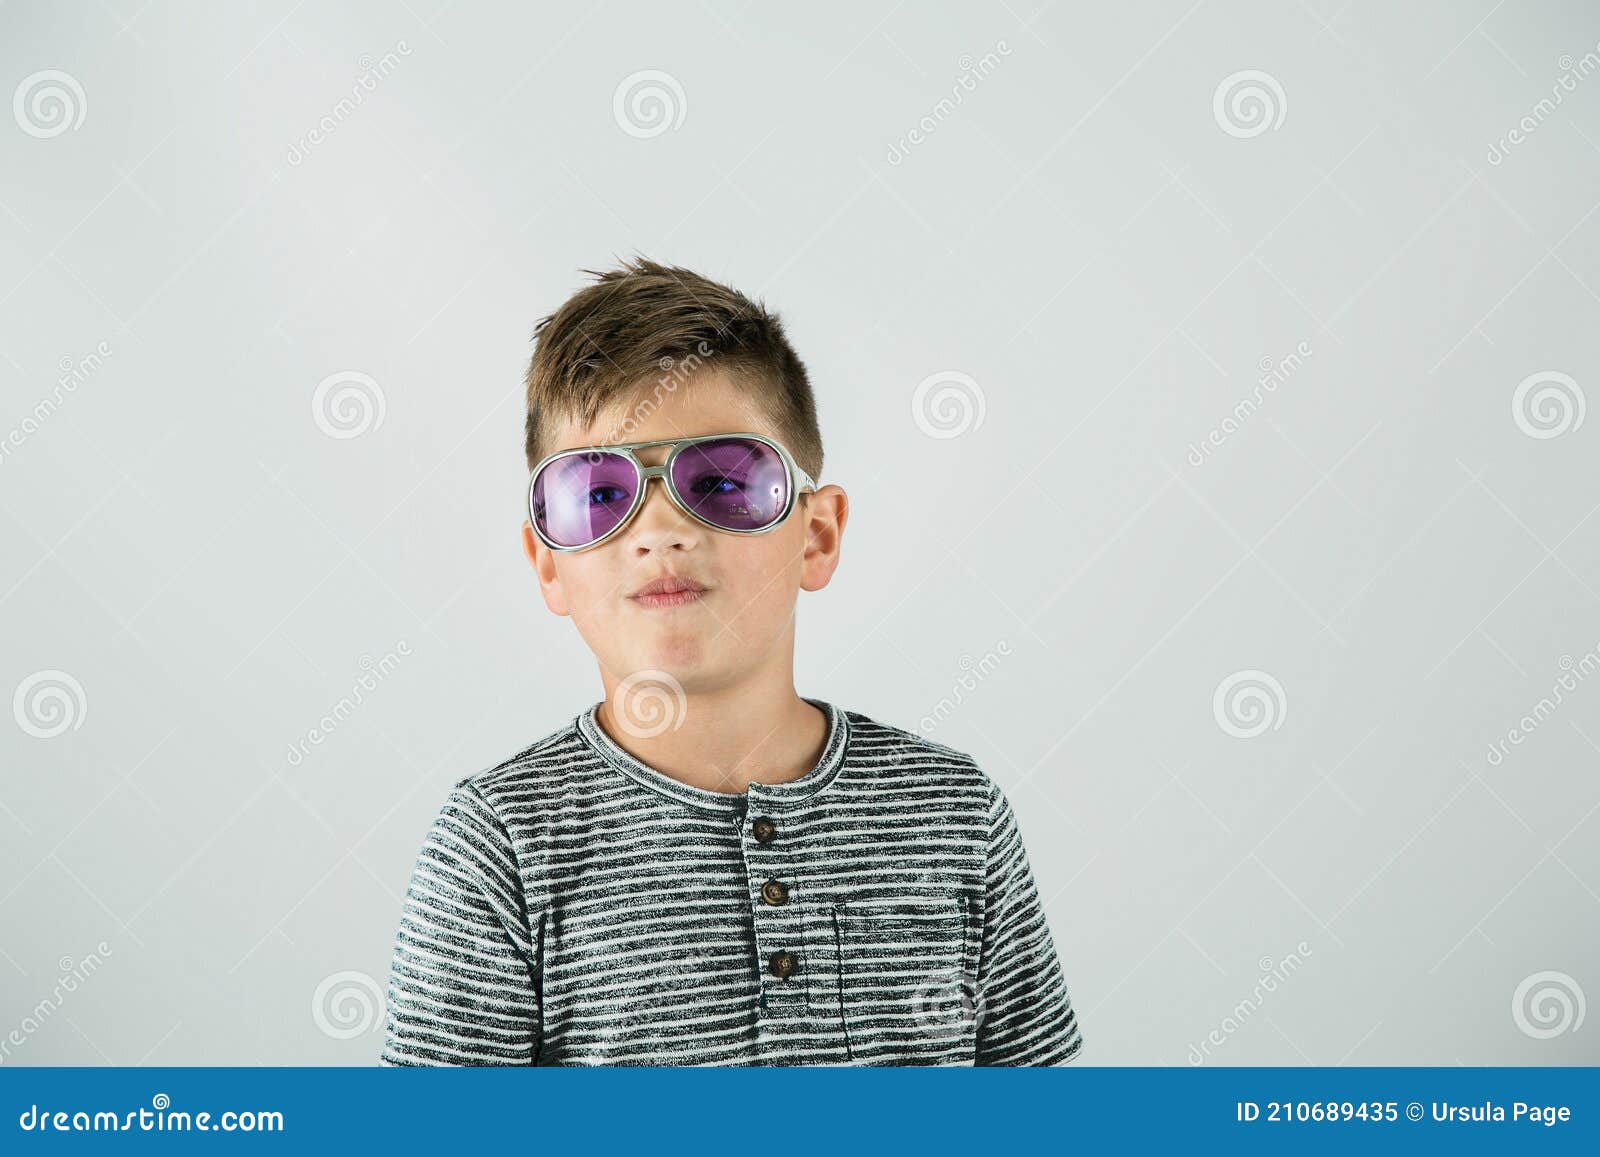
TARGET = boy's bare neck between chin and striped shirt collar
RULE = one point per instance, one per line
(727, 739)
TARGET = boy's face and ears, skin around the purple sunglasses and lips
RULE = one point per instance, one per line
(743, 622)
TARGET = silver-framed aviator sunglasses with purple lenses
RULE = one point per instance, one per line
(745, 484)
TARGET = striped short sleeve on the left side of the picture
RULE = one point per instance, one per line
(463, 979)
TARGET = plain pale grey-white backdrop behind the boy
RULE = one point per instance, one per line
(1209, 382)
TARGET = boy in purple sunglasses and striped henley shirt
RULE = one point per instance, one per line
(706, 868)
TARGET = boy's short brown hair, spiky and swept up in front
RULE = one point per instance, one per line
(646, 329)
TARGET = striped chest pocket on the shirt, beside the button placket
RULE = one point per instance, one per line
(906, 979)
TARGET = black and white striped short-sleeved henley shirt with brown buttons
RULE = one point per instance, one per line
(577, 907)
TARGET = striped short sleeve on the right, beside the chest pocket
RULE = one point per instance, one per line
(1023, 1007)
